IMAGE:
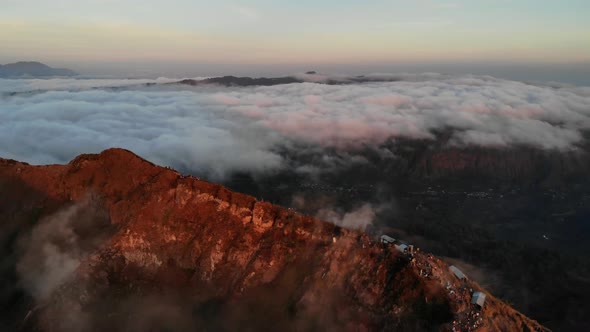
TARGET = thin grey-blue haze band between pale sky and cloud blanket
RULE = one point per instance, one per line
(577, 73)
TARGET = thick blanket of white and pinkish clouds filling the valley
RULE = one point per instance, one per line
(216, 130)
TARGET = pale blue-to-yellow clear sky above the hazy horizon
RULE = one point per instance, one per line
(295, 32)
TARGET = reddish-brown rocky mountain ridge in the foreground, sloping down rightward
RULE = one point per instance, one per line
(184, 254)
